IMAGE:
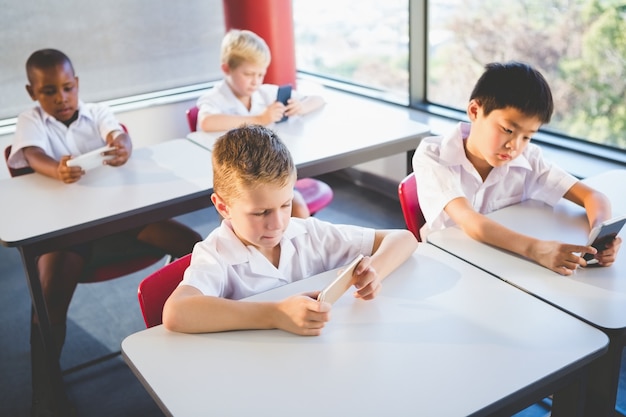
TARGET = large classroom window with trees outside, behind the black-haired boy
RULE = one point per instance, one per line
(579, 45)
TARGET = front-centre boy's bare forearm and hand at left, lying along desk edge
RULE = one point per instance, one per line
(189, 311)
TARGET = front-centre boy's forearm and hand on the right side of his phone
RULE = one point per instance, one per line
(391, 249)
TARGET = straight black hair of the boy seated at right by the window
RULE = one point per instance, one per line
(517, 85)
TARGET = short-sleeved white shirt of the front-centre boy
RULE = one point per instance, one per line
(223, 266)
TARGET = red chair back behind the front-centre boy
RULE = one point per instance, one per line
(154, 290)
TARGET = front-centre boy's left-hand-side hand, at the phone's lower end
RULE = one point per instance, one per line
(302, 314)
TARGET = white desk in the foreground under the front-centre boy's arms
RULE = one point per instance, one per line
(442, 339)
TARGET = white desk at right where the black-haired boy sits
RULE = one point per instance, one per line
(596, 295)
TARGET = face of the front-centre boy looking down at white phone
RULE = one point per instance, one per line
(259, 216)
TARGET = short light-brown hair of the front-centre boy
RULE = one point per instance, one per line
(248, 156)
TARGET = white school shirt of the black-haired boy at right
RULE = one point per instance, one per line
(443, 173)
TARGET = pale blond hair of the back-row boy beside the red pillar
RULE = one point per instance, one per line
(242, 46)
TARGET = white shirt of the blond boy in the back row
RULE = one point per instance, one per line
(221, 100)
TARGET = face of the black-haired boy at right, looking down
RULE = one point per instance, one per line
(499, 137)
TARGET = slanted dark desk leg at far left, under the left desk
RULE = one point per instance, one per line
(57, 386)
